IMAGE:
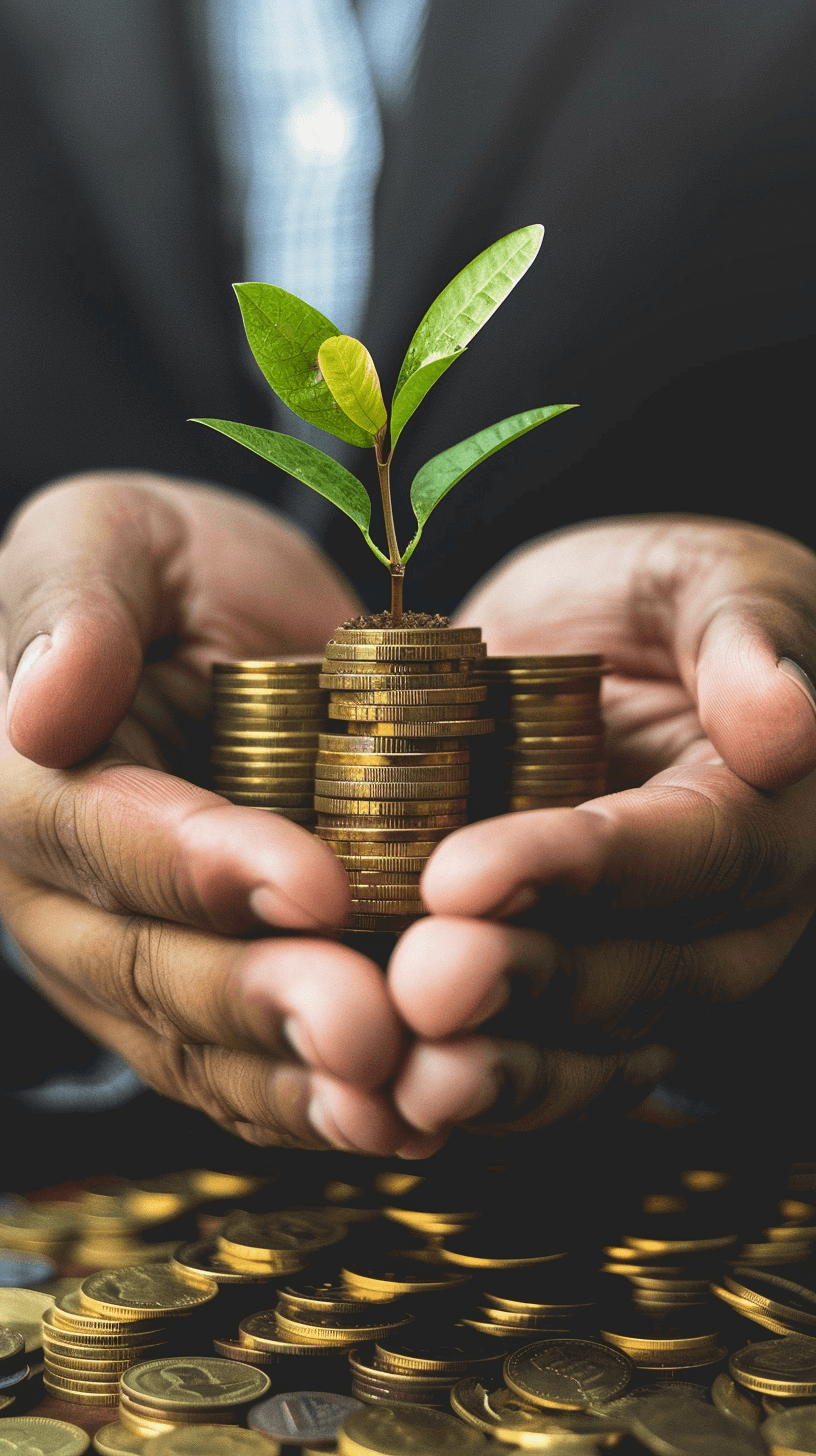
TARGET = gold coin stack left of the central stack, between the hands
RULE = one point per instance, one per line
(266, 724)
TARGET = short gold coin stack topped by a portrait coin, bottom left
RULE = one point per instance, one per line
(158, 1396)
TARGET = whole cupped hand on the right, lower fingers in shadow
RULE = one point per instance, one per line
(690, 885)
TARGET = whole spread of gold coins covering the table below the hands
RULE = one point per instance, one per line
(394, 1318)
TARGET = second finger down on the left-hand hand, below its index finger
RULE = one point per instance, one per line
(321, 1001)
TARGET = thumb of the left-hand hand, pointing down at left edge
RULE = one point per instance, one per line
(82, 598)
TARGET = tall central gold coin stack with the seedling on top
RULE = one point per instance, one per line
(397, 784)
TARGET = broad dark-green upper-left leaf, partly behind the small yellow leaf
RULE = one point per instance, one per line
(285, 336)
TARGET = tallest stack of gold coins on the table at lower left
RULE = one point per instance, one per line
(87, 1353)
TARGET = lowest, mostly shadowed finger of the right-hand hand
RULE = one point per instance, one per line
(515, 1085)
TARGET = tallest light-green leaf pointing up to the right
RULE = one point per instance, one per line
(470, 301)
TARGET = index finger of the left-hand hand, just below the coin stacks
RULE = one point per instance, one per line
(138, 841)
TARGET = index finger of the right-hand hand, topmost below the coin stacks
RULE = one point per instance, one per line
(696, 838)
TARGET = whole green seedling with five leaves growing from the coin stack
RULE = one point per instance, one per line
(329, 379)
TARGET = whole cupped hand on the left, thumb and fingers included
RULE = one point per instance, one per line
(189, 934)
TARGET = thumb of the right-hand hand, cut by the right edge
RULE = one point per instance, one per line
(756, 692)
